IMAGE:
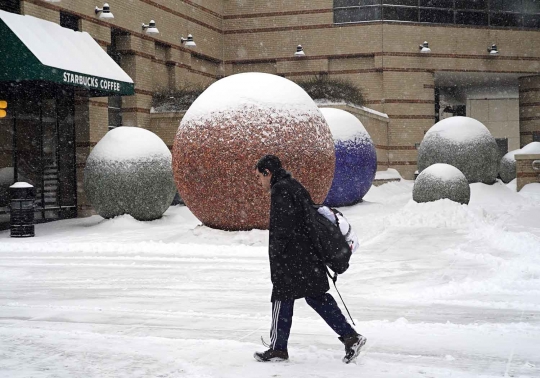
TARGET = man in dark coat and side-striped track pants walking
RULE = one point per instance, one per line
(296, 270)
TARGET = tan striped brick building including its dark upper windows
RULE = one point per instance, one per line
(373, 43)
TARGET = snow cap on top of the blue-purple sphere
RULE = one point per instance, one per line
(344, 125)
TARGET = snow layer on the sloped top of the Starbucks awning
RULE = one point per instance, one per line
(63, 48)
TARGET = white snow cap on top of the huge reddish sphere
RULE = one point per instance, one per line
(252, 89)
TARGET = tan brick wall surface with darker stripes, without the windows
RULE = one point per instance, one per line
(234, 36)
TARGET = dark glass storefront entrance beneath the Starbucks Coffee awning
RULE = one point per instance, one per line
(41, 142)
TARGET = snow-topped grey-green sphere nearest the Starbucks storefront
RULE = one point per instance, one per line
(130, 172)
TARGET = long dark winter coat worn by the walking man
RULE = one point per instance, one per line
(296, 269)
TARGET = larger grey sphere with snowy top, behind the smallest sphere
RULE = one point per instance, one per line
(464, 143)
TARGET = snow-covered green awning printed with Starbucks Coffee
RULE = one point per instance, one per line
(34, 49)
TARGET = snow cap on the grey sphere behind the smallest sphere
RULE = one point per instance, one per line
(459, 129)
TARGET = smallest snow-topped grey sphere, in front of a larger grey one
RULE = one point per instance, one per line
(440, 181)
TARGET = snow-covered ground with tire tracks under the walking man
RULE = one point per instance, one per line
(439, 289)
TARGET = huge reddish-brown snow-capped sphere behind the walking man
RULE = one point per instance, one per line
(228, 128)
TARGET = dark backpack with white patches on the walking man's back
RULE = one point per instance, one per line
(334, 245)
